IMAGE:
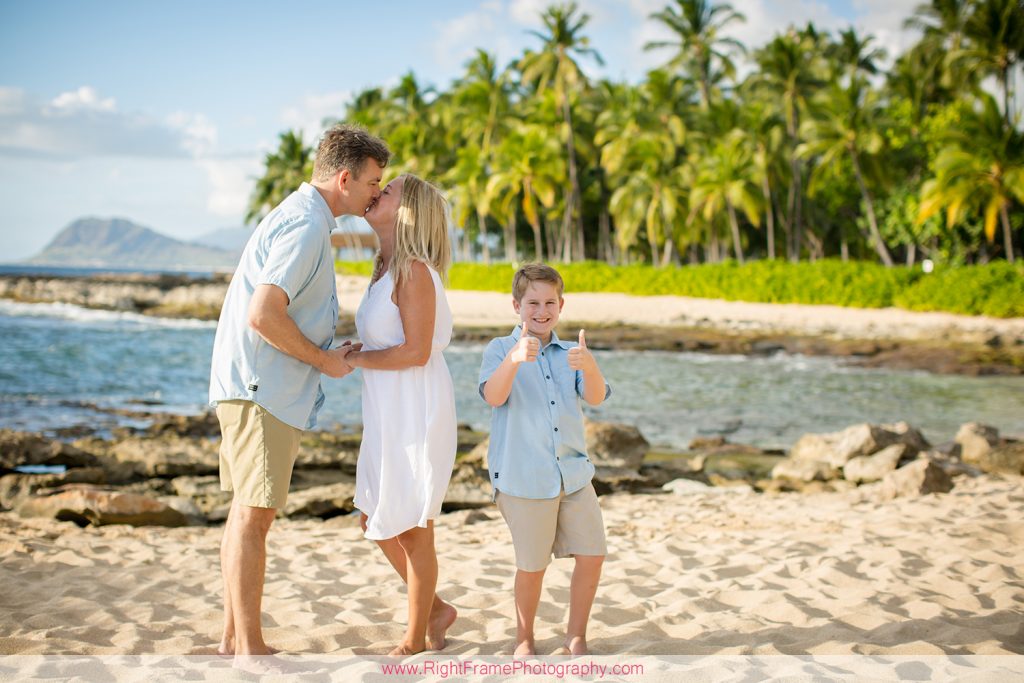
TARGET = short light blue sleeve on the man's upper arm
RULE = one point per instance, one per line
(293, 257)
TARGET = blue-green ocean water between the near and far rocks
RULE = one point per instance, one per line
(56, 360)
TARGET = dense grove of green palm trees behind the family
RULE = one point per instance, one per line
(814, 146)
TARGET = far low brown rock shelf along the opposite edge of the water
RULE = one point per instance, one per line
(179, 296)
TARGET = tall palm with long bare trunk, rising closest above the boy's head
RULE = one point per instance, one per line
(557, 66)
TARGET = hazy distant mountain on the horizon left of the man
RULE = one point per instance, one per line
(120, 243)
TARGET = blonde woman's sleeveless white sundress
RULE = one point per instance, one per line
(409, 422)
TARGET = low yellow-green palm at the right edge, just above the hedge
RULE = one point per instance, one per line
(983, 167)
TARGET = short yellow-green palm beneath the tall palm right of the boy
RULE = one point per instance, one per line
(726, 181)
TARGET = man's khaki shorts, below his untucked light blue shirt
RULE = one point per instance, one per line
(258, 453)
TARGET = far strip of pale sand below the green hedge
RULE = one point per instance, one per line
(488, 309)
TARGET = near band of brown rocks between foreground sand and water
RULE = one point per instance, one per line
(167, 474)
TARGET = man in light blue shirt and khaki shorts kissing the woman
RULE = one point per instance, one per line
(273, 344)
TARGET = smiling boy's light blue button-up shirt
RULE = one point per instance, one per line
(537, 442)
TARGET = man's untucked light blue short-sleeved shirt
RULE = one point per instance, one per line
(291, 249)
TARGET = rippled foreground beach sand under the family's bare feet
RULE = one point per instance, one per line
(701, 574)
